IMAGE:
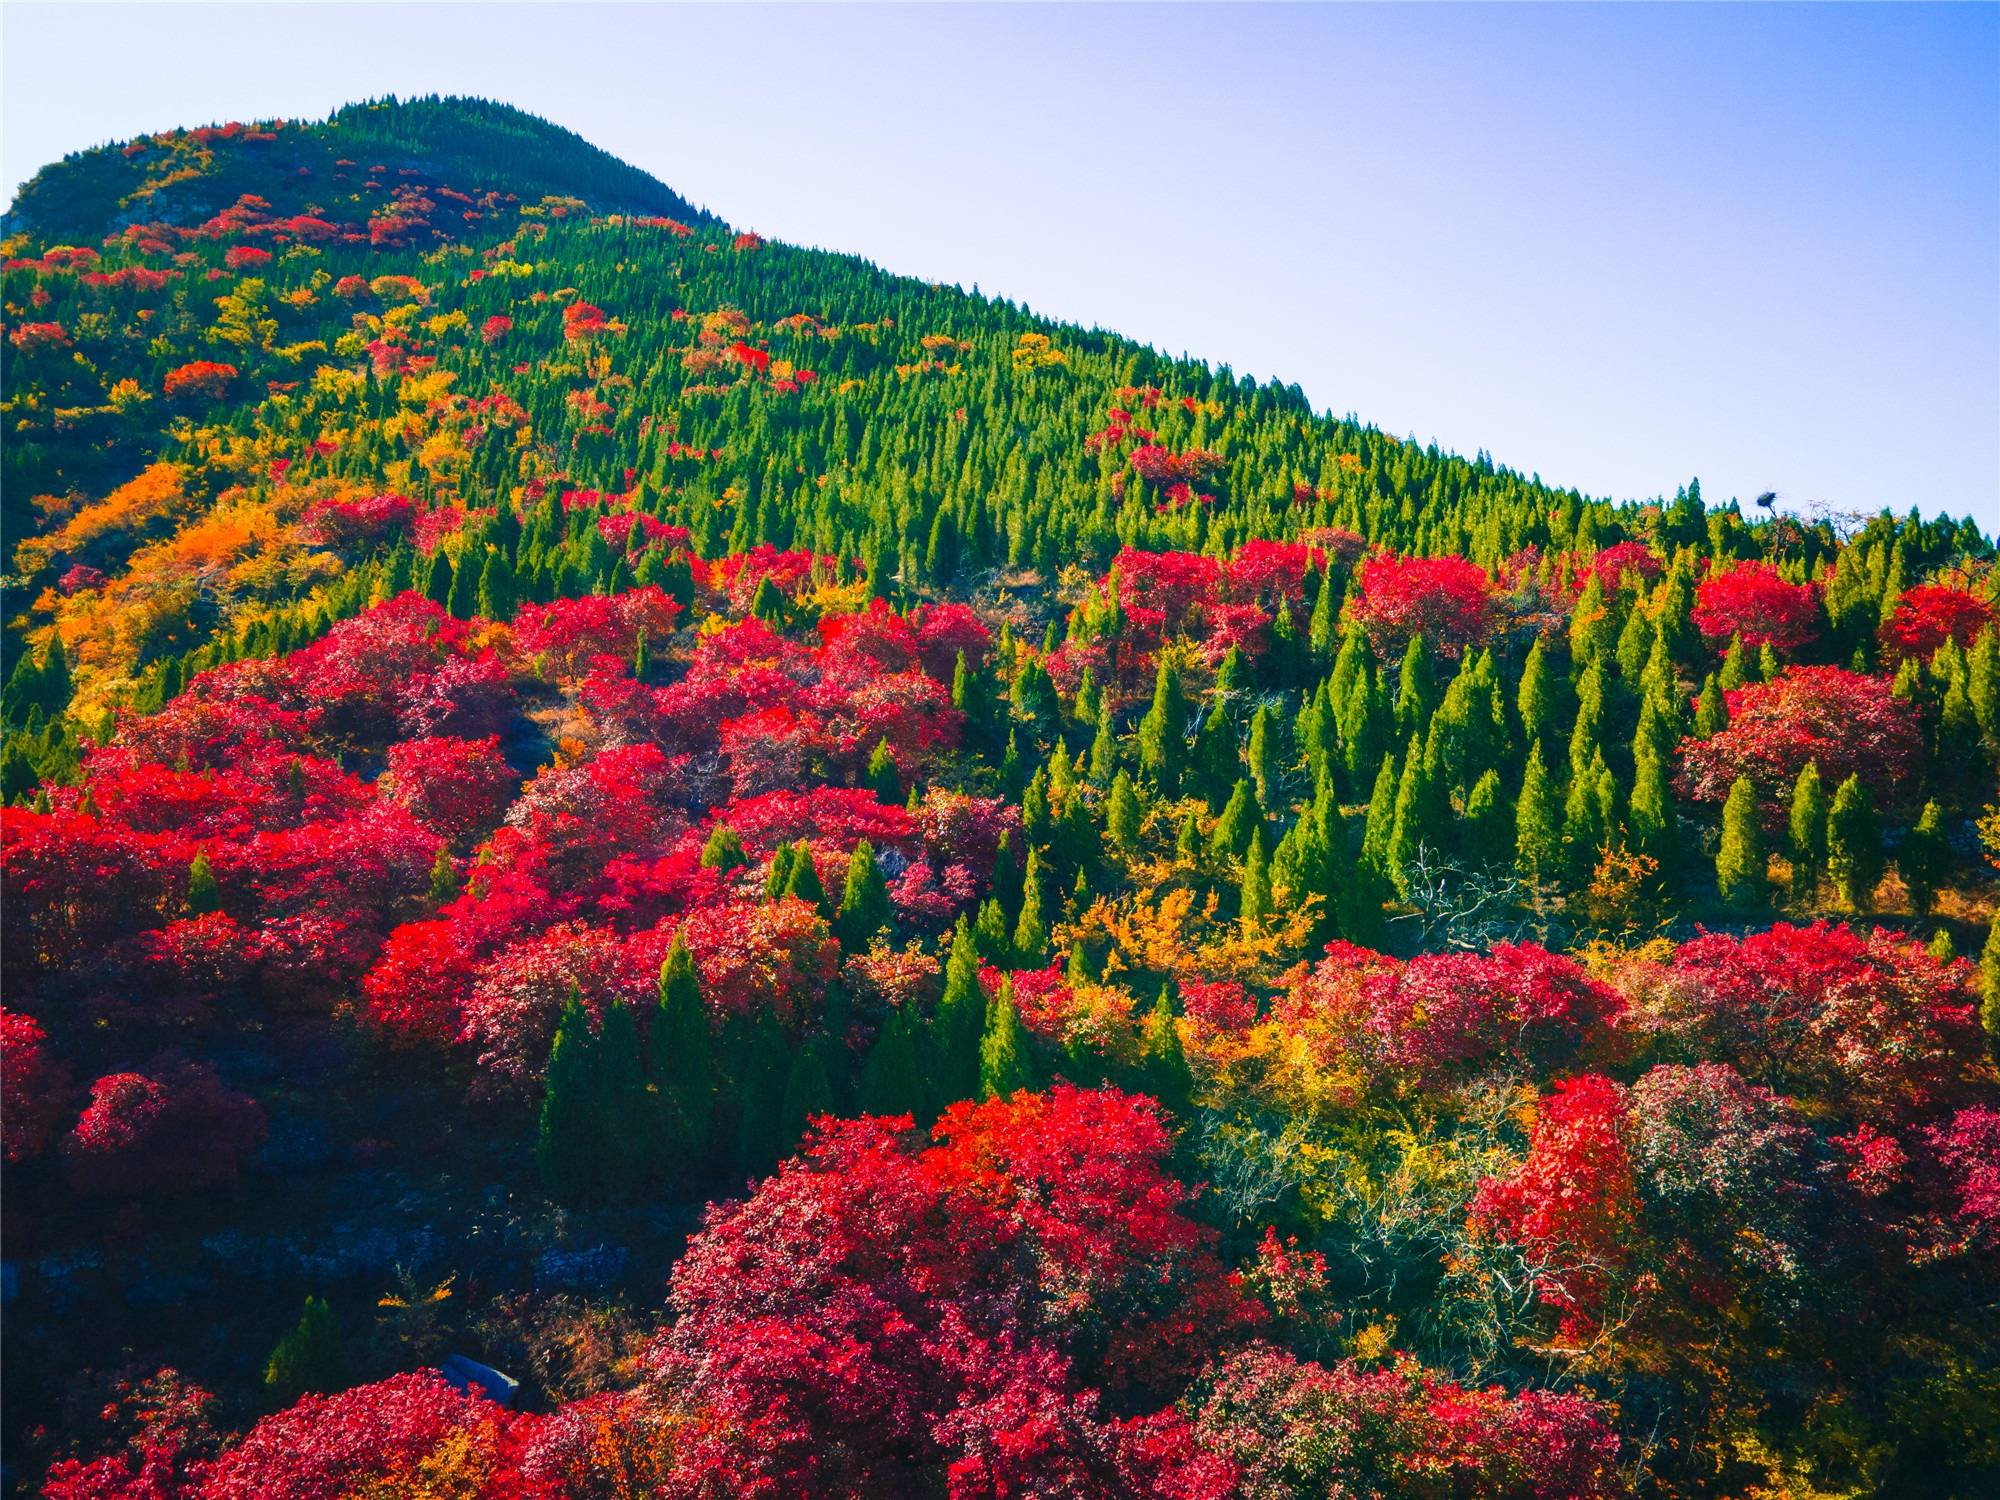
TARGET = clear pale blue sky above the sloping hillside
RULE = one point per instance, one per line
(1611, 245)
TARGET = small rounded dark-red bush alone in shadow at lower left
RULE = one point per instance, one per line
(165, 1131)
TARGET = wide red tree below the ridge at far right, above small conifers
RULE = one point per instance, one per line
(1849, 723)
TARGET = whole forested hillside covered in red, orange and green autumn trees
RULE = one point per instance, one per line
(873, 895)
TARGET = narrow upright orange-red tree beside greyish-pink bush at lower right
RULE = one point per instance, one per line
(1573, 1203)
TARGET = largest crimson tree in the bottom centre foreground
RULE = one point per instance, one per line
(881, 1309)
